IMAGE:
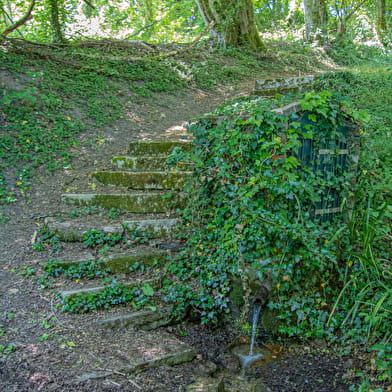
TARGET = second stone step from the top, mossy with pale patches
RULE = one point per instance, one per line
(144, 163)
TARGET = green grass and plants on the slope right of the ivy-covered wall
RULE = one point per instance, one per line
(364, 303)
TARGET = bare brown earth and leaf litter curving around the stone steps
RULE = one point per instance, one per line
(46, 348)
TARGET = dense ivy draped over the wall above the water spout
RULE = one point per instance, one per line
(252, 202)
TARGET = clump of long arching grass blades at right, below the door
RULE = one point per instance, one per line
(366, 298)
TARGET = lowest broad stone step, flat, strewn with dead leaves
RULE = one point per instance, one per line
(133, 351)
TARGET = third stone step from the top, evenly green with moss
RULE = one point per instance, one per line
(143, 180)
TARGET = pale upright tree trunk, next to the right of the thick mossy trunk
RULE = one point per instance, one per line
(316, 18)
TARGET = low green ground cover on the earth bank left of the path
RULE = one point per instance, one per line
(41, 121)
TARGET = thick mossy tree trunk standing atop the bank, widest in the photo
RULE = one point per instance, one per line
(234, 22)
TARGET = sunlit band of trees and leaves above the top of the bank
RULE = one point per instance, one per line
(235, 23)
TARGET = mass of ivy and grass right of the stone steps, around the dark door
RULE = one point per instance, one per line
(331, 280)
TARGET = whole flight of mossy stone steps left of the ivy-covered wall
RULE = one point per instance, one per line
(145, 191)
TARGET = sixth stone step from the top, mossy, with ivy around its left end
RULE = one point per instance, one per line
(121, 262)
